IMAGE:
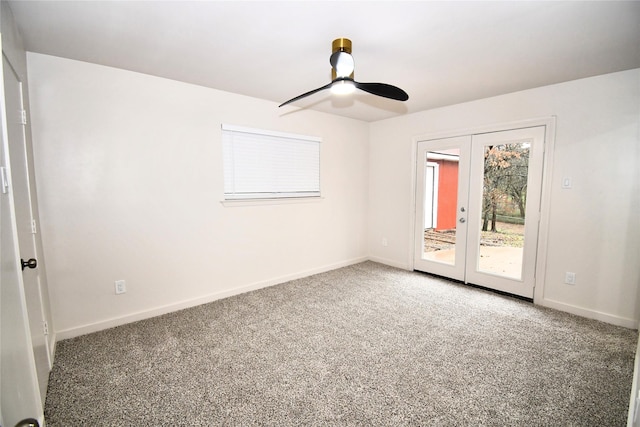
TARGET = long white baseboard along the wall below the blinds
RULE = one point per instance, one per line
(193, 302)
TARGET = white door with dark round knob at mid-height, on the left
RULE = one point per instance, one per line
(25, 223)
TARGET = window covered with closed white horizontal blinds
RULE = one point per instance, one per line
(262, 164)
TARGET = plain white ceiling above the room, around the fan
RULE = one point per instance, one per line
(441, 53)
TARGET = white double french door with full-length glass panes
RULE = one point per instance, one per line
(477, 208)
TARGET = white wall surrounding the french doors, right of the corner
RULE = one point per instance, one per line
(594, 228)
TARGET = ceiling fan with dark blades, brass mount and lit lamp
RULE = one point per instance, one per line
(342, 82)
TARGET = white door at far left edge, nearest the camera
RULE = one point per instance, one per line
(19, 392)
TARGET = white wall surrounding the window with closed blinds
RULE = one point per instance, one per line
(129, 170)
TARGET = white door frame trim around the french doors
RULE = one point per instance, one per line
(545, 198)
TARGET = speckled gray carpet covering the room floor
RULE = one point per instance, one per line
(365, 345)
